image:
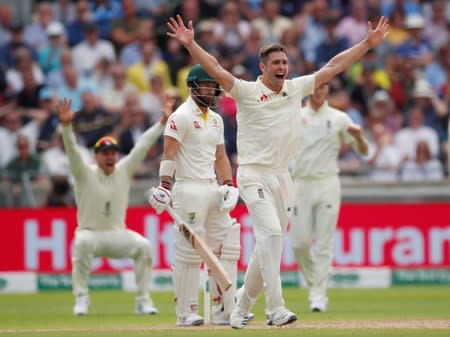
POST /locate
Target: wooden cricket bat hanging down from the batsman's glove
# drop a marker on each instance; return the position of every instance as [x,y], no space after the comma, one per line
[211,260]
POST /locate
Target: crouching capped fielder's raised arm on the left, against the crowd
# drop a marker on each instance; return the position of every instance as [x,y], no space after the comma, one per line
[66,116]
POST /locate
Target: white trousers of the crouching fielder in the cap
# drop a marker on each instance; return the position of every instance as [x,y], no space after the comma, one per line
[119,243]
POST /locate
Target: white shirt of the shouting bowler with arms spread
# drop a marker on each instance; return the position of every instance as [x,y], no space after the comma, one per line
[268,123]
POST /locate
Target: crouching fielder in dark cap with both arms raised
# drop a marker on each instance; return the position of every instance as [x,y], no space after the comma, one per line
[101,194]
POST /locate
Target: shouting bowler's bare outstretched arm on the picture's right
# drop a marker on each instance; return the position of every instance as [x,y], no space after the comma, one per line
[346,58]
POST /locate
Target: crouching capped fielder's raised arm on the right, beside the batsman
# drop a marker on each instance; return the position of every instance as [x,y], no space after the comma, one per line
[148,138]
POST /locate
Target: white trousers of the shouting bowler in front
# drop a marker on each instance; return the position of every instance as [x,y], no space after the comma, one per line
[268,196]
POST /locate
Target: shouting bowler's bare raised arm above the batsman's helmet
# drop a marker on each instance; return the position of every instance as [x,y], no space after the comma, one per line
[185,35]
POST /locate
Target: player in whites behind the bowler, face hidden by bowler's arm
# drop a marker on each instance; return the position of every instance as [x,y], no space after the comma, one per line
[318,190]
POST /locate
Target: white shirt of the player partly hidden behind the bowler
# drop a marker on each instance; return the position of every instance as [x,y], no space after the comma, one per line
[321,132]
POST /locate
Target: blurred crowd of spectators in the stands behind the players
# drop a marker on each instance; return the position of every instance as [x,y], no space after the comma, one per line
[112,58]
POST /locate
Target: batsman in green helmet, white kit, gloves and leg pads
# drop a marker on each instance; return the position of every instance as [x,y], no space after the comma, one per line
[194,152]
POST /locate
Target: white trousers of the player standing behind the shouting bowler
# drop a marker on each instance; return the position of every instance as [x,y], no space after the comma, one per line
[314,218]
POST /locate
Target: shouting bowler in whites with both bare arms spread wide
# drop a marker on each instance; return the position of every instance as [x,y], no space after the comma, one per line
[268,115]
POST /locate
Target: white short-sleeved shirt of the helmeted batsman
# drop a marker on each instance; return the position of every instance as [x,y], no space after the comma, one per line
[198,140]
